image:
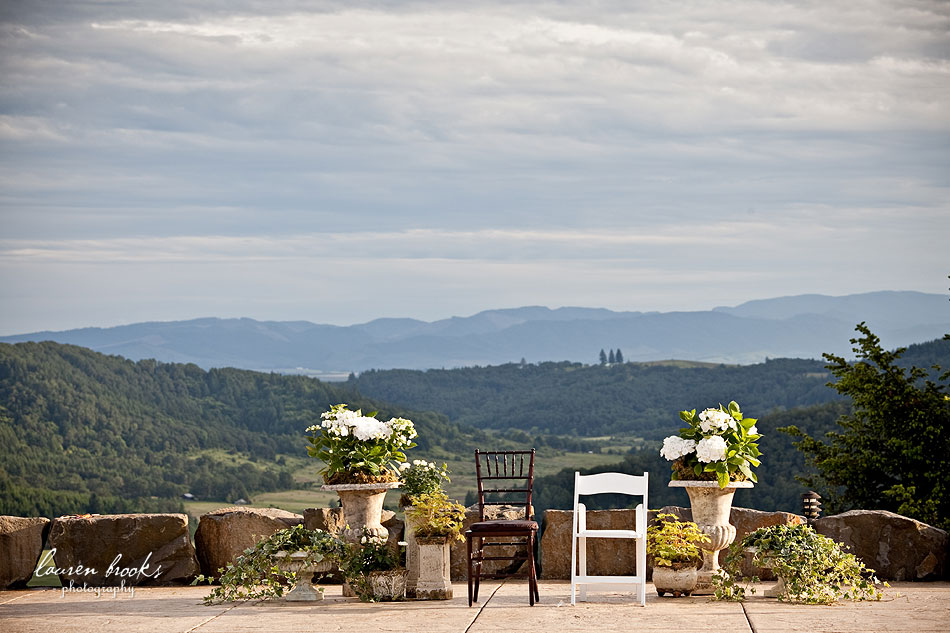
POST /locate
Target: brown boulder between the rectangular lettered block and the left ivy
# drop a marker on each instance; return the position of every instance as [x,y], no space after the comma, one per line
[224,534]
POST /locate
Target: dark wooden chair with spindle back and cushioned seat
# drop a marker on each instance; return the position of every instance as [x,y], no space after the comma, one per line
[505,478]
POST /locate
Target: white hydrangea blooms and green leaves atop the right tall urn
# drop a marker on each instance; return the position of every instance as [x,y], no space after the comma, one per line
[720,442]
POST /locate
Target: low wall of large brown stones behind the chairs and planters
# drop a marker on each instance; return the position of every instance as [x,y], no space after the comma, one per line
[897,547]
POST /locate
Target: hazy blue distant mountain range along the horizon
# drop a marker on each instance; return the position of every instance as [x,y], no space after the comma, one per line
[791,327]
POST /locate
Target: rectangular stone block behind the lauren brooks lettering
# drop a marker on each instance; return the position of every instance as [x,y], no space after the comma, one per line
[116,549]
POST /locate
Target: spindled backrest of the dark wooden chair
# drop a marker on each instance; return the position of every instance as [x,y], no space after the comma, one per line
[505,478]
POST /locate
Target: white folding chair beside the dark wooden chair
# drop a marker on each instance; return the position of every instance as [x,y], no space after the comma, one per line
[617,483]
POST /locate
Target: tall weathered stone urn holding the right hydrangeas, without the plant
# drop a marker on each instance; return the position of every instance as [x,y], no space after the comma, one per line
[711,506]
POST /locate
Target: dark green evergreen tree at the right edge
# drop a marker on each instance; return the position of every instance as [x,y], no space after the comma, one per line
[894,450]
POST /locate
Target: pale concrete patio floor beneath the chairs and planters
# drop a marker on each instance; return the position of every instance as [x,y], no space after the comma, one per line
[910,607]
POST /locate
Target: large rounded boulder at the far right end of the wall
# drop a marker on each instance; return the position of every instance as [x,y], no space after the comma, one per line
[895,546]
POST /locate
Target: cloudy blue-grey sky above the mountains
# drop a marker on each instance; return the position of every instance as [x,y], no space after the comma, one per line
[337,162]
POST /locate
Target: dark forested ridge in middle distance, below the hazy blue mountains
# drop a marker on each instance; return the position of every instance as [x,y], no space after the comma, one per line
[562,398]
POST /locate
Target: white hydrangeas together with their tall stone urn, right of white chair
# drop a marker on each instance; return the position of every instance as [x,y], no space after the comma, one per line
[713,456]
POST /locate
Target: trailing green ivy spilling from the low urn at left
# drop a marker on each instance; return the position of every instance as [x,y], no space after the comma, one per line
[256,573]
